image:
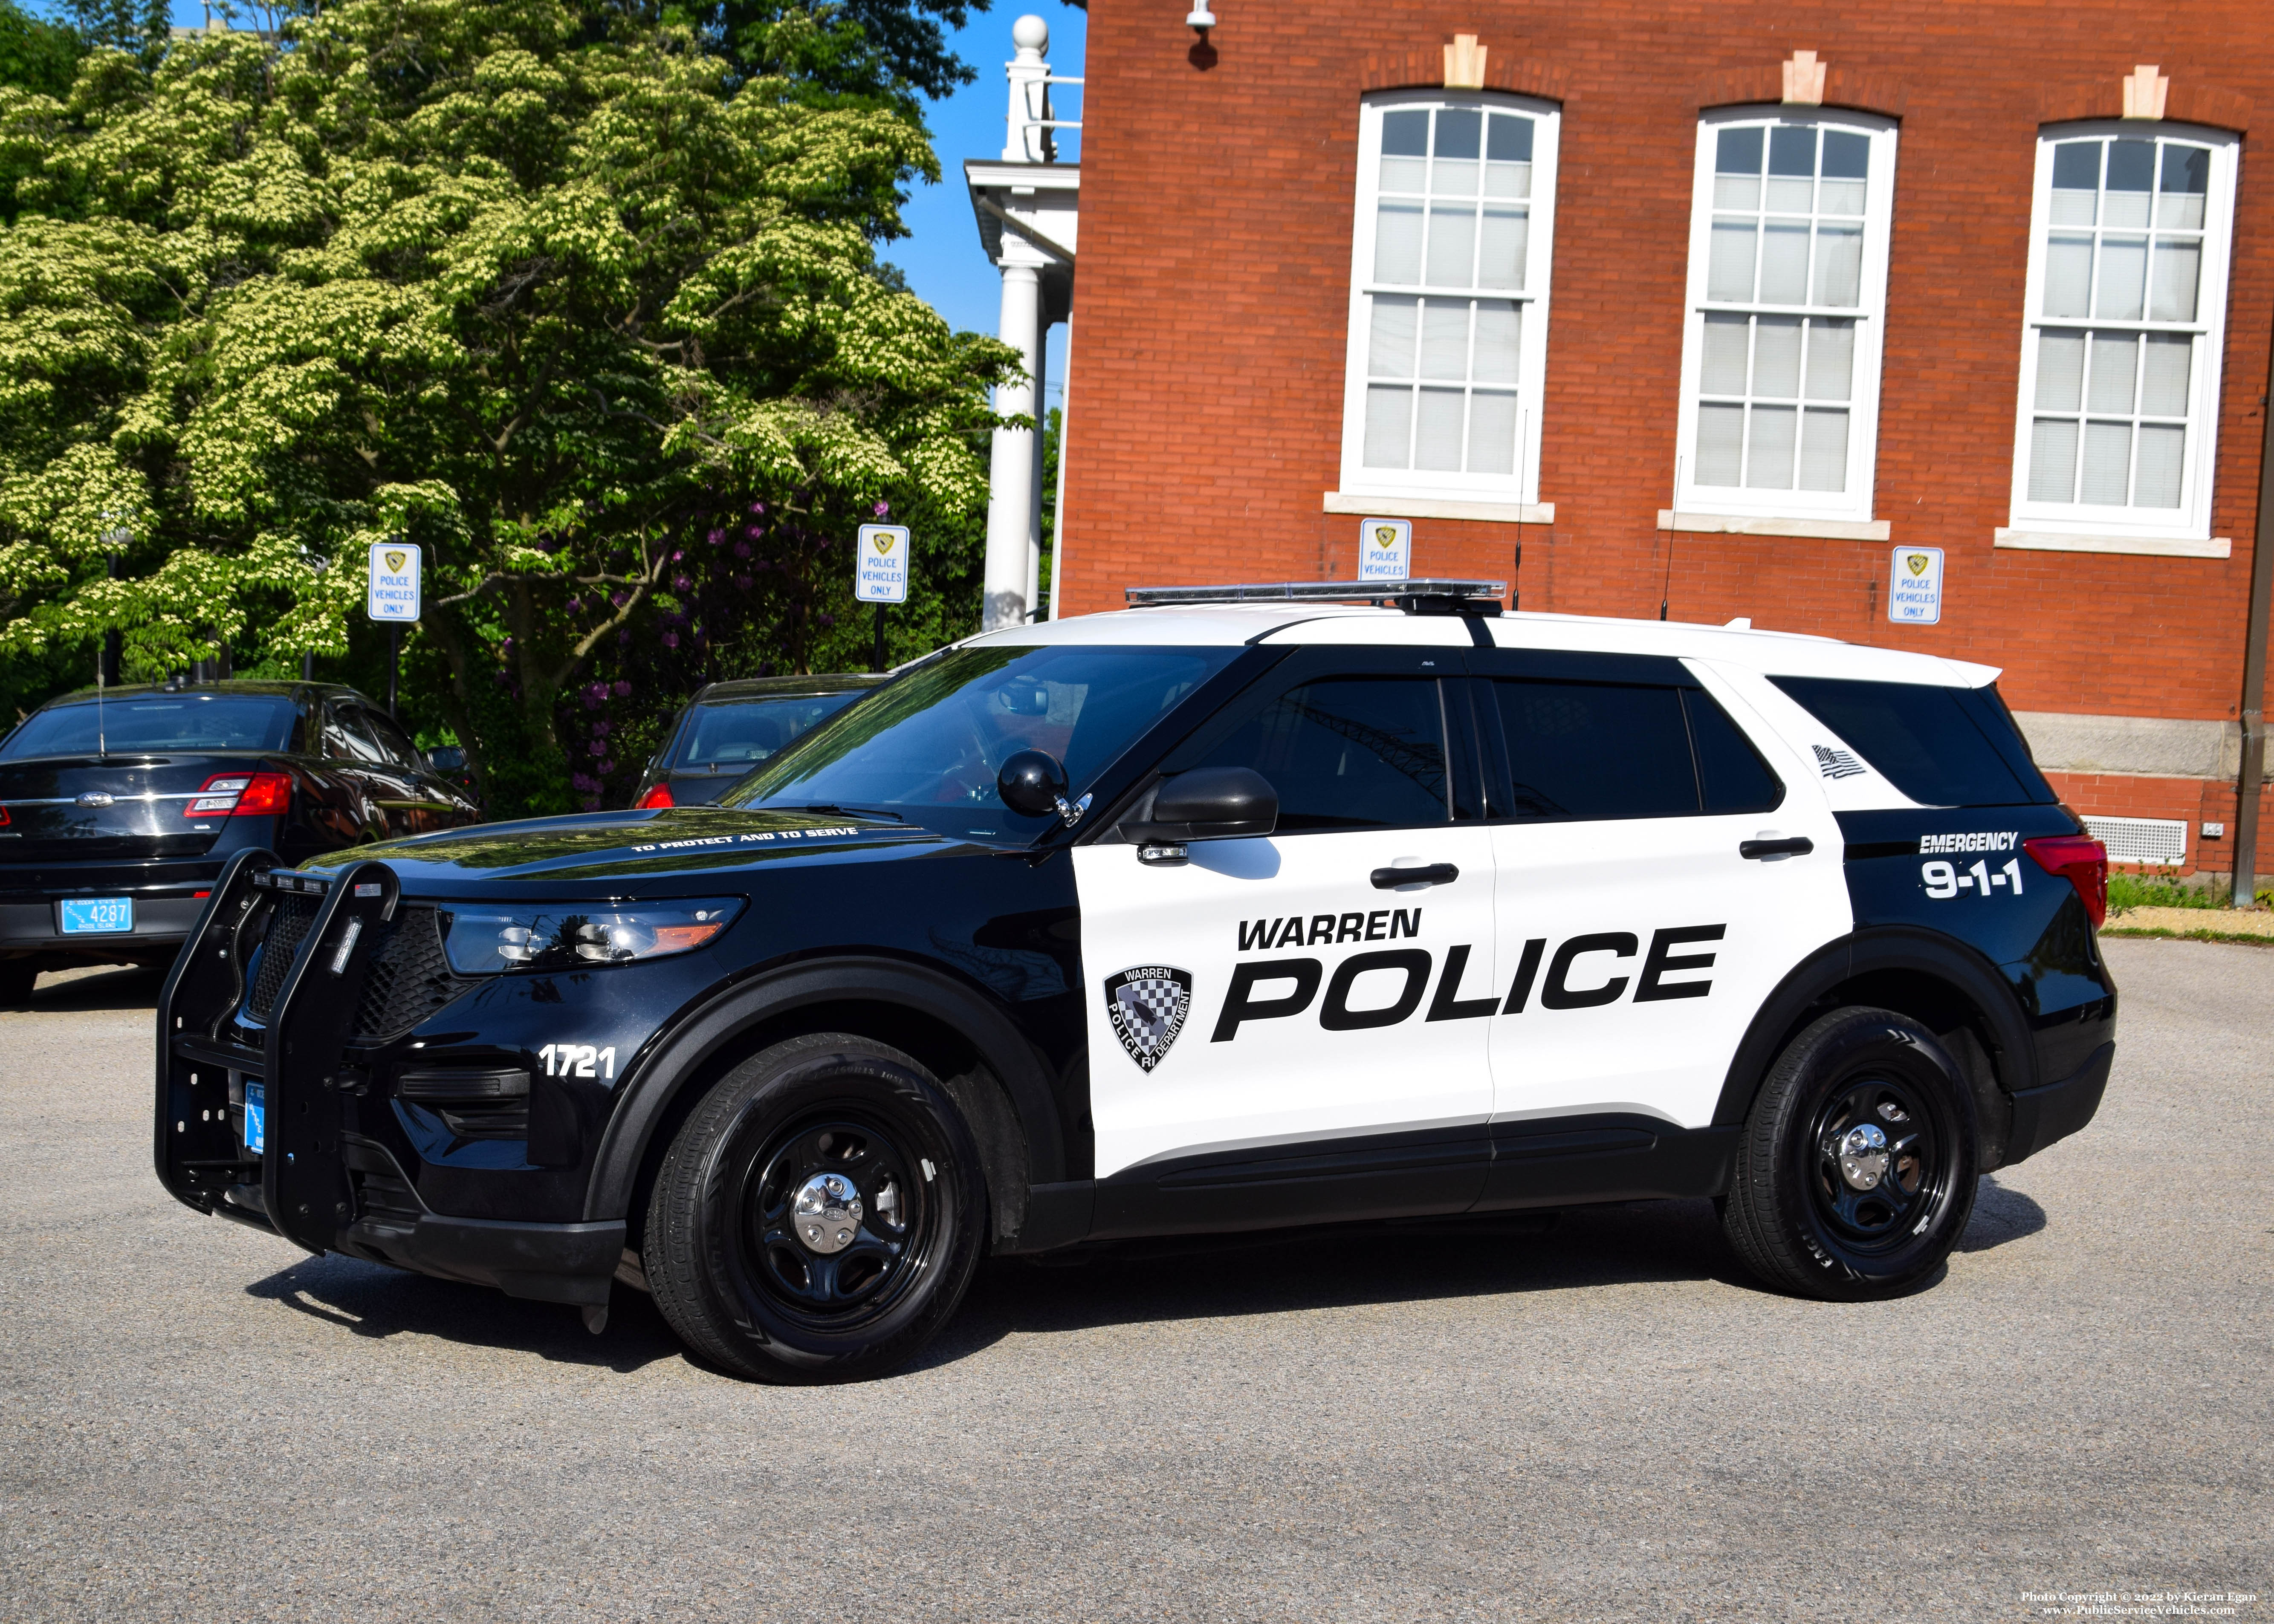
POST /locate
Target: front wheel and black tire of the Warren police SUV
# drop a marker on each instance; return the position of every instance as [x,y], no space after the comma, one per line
[829,1293]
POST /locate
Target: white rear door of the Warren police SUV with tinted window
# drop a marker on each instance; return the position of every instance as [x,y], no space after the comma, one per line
[1636,936]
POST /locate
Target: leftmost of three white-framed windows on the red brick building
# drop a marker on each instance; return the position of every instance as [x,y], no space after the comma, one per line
[1450,297]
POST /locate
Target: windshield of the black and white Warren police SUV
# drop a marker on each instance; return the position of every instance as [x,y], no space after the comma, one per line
[929,745]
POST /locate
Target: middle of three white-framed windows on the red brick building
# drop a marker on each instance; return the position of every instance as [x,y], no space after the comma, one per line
[1789,310]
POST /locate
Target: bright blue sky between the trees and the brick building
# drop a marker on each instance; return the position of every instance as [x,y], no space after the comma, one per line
[943,254]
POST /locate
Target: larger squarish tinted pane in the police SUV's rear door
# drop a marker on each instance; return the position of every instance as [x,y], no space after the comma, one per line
[1597,749]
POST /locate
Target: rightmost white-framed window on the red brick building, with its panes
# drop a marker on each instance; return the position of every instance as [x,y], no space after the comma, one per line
[2123,333]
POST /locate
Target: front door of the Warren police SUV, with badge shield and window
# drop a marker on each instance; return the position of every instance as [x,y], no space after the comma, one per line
[1288,1027]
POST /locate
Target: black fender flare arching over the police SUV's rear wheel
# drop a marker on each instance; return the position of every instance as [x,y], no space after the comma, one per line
[1859,954]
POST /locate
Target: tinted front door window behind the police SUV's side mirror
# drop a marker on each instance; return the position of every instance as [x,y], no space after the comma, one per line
[1347,754]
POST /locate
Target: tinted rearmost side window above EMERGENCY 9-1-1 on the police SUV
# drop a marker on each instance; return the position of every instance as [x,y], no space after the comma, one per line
[1945,747]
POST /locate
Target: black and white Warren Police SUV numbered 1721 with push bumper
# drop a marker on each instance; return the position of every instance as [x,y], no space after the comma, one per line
[1243,909]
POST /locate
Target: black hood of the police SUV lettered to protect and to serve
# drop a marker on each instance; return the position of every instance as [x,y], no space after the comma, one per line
[672,852]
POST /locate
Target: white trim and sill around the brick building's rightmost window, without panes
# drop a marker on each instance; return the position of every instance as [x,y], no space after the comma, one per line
[2057,524]
